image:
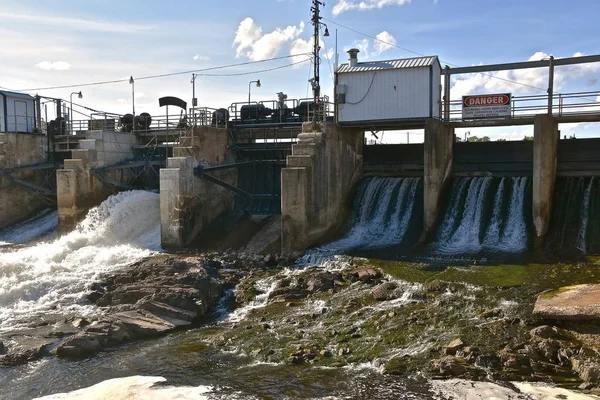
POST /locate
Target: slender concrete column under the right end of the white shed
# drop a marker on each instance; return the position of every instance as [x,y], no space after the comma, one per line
[438,149]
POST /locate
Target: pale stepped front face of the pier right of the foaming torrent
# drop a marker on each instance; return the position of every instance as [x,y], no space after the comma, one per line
[175,193]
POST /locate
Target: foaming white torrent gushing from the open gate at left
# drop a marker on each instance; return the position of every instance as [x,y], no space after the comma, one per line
[53,277]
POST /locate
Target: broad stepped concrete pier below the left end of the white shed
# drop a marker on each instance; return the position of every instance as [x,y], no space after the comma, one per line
[316,184]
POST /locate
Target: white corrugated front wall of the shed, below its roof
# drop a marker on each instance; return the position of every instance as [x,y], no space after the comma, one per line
[409,99]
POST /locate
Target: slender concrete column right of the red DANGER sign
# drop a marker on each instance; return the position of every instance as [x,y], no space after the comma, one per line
[545,141]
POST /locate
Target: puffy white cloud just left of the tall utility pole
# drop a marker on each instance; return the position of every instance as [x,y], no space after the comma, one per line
[252,43]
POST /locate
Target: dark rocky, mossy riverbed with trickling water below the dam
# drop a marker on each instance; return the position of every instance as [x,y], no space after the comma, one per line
[471,322]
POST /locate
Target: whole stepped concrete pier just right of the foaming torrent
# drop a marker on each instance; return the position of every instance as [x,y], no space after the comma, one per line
[187,202]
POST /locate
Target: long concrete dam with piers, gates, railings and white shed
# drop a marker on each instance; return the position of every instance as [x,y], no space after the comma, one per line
[307,160]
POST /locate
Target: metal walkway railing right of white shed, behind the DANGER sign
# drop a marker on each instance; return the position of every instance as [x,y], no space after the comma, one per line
[577,103]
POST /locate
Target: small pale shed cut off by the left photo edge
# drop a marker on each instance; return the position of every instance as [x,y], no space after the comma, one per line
[17,112]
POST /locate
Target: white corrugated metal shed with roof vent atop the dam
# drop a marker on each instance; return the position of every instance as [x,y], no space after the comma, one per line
[383,92]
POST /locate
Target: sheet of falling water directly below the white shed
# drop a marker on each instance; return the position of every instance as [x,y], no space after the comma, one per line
[383,209]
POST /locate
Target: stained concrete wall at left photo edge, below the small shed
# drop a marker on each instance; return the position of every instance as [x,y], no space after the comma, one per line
[16,202]
